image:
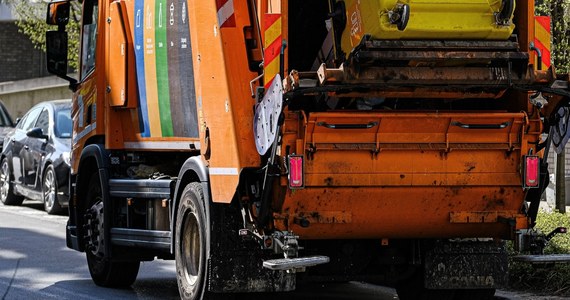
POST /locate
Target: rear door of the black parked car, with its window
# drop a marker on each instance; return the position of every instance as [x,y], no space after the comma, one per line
[18,141]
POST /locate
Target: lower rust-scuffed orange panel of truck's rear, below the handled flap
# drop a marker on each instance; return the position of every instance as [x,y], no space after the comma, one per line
[398,211]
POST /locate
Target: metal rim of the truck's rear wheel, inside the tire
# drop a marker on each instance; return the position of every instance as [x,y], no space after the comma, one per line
[191,248]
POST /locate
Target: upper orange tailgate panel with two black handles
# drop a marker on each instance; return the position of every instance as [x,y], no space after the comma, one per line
[454,130]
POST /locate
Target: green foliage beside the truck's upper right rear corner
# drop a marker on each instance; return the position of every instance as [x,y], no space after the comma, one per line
[559,11]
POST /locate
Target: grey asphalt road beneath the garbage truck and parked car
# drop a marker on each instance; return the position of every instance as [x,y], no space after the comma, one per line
[36,264]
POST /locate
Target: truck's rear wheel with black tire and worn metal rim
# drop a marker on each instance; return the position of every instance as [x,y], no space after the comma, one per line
[191,239]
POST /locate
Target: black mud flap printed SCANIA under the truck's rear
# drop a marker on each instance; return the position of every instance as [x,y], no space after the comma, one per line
[466,265]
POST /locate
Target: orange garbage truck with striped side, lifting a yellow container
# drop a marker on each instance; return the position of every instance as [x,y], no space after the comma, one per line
[262,142]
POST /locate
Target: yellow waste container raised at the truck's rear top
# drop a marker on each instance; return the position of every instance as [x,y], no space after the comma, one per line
[427,19]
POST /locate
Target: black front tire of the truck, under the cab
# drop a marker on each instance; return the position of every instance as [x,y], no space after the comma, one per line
[104,271]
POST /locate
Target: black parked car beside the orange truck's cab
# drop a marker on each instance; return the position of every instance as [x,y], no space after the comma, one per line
[35,157]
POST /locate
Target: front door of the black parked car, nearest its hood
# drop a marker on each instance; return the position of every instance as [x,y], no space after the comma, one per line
[37,149]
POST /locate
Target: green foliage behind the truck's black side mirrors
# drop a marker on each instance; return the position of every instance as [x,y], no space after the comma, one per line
[31,22]
